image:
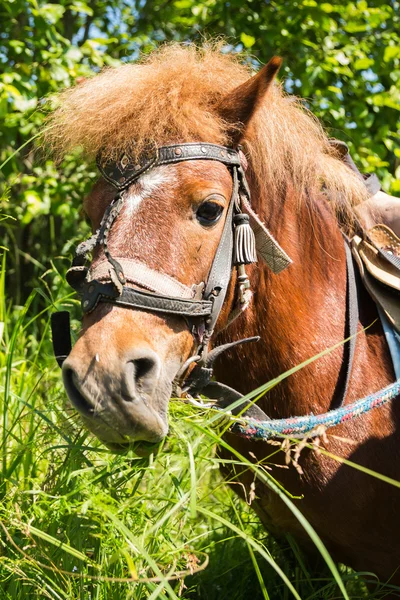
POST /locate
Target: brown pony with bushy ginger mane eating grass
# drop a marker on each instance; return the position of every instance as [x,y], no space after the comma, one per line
[120,372]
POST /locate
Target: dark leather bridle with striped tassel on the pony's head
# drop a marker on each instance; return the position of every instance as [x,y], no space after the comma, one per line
[202,311]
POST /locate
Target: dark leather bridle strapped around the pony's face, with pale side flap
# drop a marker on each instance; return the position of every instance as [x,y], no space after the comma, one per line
[201,304]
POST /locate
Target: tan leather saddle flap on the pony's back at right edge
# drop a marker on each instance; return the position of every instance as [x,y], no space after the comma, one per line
[377,255]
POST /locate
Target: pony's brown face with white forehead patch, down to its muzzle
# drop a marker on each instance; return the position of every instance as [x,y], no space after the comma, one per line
[119,374]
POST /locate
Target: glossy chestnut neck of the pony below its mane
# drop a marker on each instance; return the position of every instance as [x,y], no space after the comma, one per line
[300,313]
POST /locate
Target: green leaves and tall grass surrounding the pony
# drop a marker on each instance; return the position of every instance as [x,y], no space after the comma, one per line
[65,503]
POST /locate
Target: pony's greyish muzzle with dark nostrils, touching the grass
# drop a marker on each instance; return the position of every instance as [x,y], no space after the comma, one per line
[118,402]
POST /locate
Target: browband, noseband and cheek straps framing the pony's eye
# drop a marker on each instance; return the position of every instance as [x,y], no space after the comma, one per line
[122,175]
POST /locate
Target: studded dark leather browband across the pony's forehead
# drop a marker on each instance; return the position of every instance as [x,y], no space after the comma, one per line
[123,172]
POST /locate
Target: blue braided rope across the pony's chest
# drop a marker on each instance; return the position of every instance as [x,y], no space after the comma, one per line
[307,426]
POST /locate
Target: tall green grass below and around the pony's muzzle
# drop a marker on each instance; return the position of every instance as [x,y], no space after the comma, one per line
[77,522]
